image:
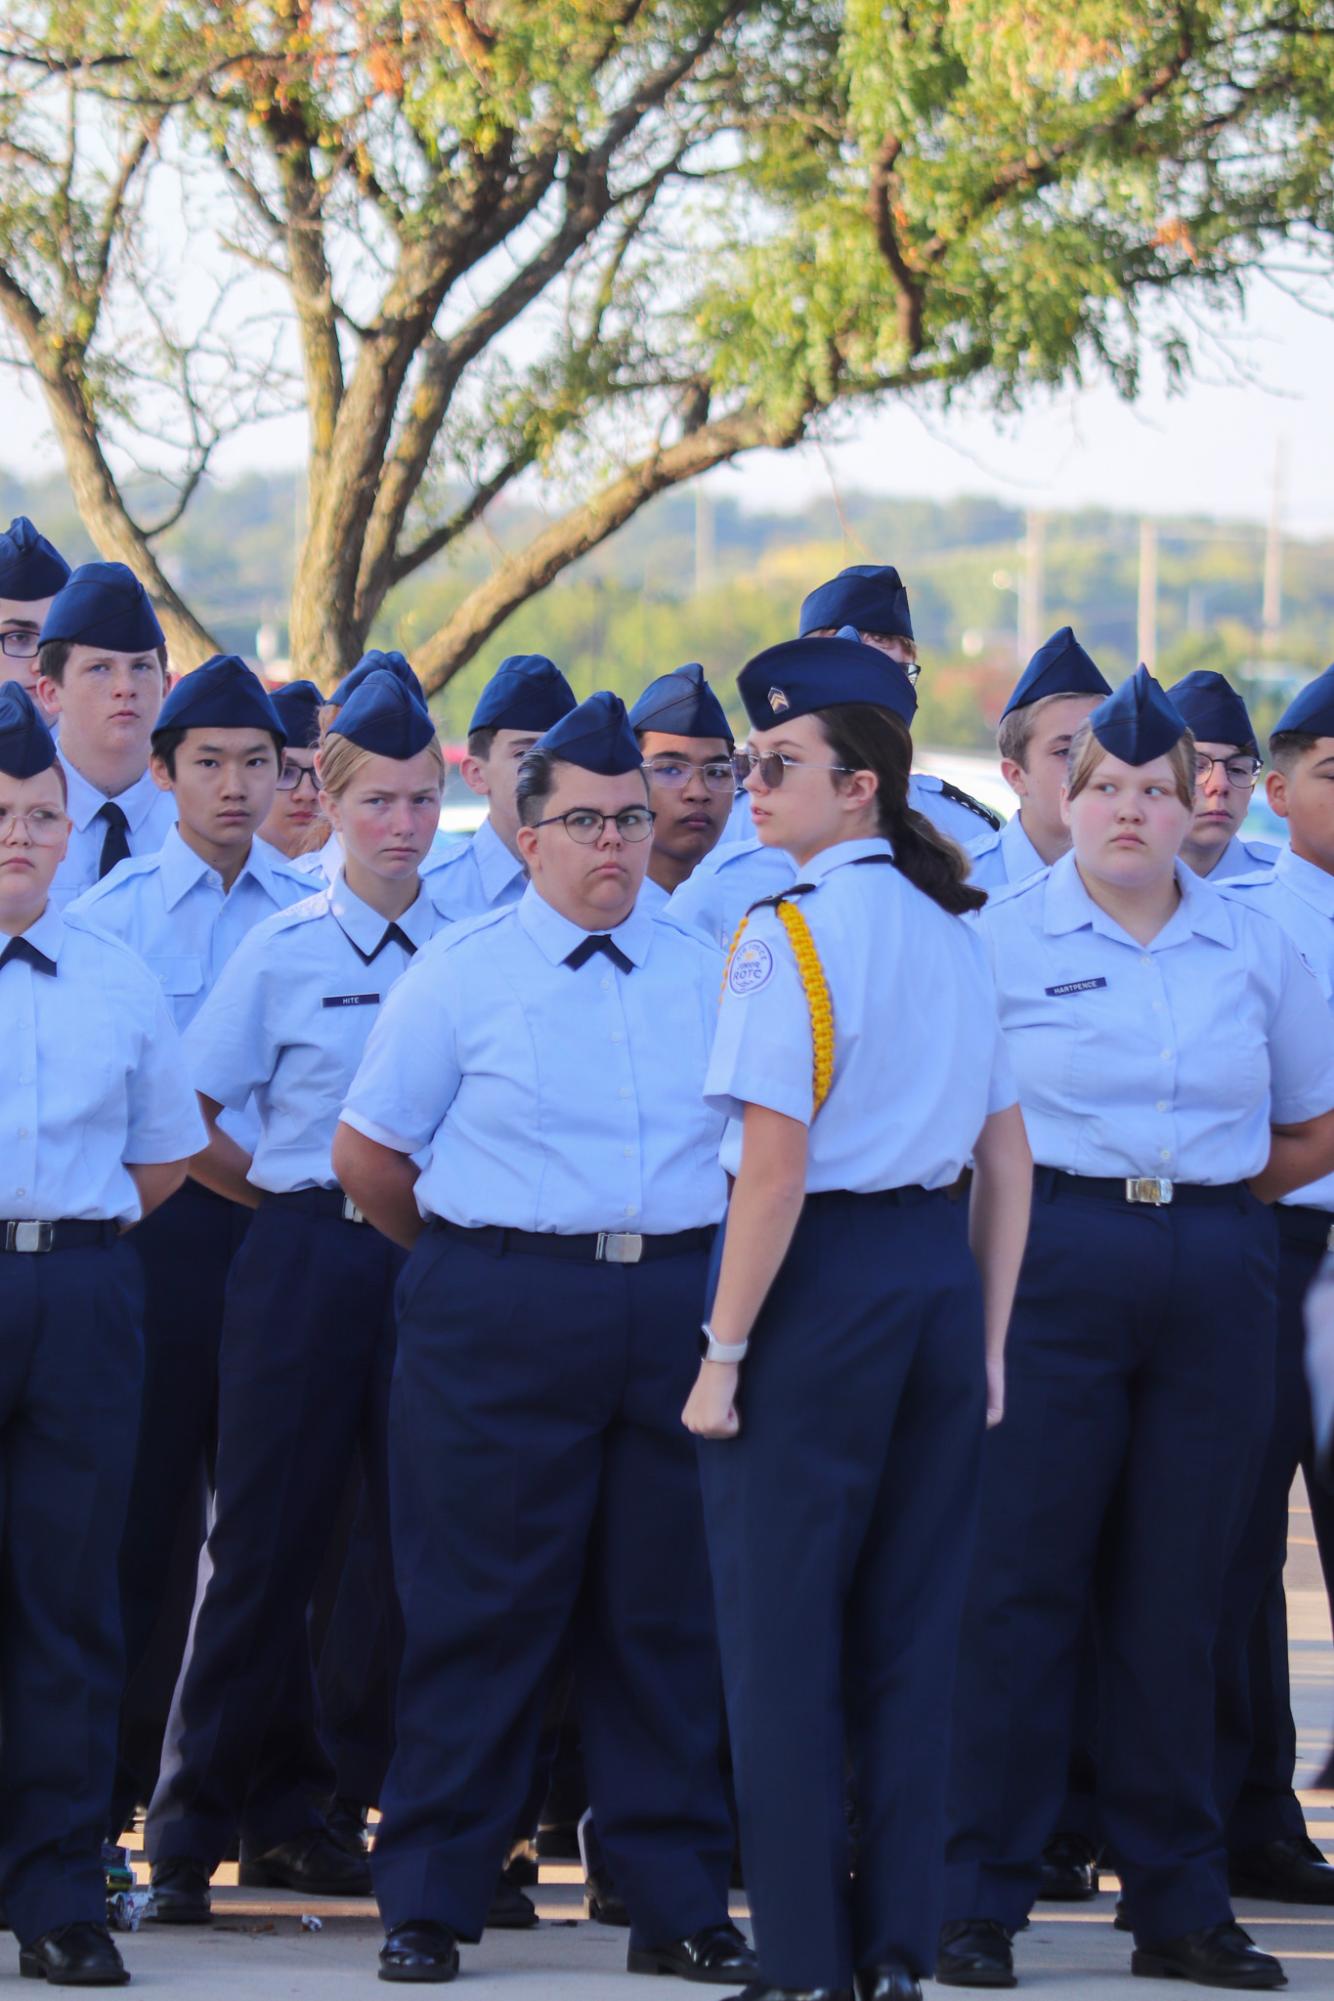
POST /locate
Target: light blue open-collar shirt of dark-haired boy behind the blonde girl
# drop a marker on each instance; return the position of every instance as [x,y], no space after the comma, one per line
[173,909]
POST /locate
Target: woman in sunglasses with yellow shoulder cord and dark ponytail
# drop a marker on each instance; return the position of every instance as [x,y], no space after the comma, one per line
[841,1474]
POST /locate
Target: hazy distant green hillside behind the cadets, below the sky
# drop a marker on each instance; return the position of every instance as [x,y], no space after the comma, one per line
[709,581]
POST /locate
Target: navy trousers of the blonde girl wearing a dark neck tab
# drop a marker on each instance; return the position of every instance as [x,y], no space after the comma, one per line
[305,1368]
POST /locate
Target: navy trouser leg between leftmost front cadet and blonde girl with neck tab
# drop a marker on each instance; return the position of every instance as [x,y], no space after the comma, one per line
[187,1250]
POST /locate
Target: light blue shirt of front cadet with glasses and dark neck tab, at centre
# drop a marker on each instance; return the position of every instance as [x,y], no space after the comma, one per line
[551,1098]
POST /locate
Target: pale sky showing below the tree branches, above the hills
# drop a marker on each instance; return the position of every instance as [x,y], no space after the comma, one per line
[1209,451]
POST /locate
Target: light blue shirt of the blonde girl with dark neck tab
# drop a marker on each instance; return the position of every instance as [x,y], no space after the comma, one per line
[289,1022]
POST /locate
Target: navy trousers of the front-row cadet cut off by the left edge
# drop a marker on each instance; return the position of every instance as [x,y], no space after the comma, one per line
[71,1378]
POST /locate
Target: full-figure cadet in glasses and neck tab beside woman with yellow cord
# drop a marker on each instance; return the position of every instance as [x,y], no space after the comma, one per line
[545,1068]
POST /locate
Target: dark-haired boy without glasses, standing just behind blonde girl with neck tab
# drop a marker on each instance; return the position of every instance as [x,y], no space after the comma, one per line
[185,909]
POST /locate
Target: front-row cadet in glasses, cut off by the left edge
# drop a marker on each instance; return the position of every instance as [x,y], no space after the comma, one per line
[99,1124]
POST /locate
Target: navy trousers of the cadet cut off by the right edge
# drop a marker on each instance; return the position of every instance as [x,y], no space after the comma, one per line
[1257,1738]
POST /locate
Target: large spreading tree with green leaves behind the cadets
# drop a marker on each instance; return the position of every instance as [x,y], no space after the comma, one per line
[607,245]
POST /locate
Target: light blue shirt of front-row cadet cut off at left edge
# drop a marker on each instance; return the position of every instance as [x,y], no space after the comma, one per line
[93,1078]
